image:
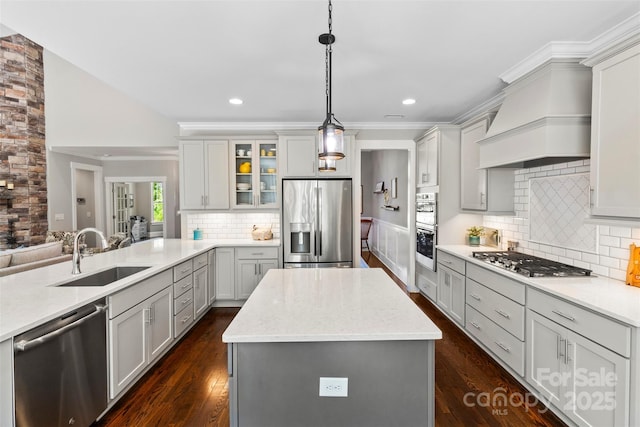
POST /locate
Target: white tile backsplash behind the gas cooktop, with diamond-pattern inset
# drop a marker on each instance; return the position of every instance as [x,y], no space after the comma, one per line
[537,228]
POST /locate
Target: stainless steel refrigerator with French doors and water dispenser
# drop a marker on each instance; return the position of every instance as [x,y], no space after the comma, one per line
[317,219]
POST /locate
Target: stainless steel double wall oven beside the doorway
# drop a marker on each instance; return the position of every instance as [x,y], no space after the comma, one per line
[426,229]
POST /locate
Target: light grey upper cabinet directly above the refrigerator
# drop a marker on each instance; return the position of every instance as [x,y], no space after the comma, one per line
[299,157]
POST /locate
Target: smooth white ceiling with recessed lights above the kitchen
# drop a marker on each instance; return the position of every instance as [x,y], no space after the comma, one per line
[185,59]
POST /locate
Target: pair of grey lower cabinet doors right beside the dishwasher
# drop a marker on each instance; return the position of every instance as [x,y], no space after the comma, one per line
[137,337]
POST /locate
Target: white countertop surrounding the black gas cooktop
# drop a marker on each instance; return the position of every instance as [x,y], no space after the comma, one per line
[606,296]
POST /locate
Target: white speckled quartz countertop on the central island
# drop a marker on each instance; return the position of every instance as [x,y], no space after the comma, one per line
[333,304]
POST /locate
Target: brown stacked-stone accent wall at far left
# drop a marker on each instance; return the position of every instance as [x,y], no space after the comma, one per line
[22,141]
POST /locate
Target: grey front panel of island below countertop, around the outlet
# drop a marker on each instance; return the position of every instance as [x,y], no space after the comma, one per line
[278,384]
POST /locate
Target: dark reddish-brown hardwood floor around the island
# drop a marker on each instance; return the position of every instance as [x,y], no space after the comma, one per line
[189,386]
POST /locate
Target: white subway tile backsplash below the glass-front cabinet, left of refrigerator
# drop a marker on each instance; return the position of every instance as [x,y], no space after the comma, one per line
[236,225]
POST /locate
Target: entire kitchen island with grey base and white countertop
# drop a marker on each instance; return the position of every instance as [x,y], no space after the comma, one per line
[355,327]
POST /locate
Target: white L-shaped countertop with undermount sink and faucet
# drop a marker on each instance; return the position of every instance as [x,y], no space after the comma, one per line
[30,298]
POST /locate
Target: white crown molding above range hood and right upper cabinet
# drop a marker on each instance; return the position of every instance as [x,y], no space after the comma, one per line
[624,32]
